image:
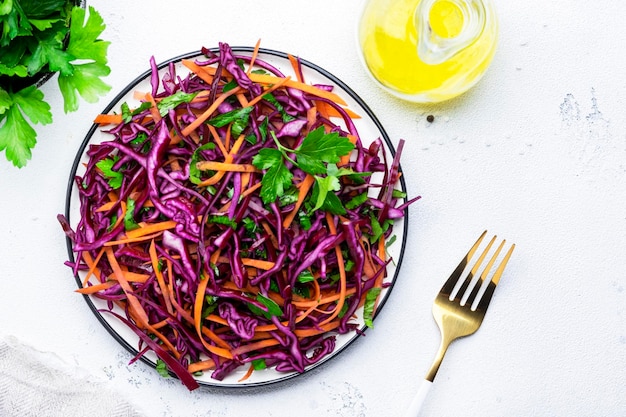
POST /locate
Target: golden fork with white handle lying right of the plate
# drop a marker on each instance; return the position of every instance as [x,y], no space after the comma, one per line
[460,313]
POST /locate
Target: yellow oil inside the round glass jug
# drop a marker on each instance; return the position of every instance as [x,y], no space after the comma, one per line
[388,40]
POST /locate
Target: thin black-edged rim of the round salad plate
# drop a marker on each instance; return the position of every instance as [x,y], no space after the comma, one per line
[236,49]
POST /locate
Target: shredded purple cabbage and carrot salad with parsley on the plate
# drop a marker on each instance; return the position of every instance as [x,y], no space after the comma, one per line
[234,218]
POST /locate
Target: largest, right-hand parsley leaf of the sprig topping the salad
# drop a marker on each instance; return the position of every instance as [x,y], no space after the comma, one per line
[319,147]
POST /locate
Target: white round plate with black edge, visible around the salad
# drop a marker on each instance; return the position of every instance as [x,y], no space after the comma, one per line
[369,129]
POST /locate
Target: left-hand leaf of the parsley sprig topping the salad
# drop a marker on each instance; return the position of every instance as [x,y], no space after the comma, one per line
[277,177]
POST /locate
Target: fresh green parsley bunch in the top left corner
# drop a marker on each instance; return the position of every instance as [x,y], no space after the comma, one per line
[39,38]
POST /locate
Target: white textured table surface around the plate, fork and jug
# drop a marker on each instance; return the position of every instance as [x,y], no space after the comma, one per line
[536,153]
